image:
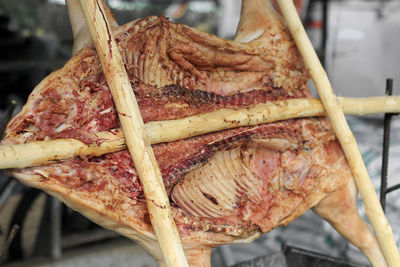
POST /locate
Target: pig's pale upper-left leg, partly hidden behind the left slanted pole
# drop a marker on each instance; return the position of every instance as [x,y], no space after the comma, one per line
[80,30]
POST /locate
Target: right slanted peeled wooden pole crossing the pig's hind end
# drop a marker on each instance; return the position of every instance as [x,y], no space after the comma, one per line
[346,138]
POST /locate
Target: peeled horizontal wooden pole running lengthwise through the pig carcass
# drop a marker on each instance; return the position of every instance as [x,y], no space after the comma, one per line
[45,152]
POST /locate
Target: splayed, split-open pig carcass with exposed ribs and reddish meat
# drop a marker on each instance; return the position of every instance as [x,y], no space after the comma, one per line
[224,187]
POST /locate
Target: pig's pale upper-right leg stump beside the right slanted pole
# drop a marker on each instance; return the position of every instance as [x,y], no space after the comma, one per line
[258,21]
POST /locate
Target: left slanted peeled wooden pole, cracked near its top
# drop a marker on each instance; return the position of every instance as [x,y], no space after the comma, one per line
[133,128]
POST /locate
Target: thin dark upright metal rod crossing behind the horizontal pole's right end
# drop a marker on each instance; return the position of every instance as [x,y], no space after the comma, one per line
[385,148]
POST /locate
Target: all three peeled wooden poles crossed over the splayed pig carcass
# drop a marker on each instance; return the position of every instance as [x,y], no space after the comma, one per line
[138,136]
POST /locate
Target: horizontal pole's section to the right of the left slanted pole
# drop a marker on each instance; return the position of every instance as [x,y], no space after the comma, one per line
[172,130]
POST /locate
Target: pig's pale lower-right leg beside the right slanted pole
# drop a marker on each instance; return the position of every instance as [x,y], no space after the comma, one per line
[340,210]
